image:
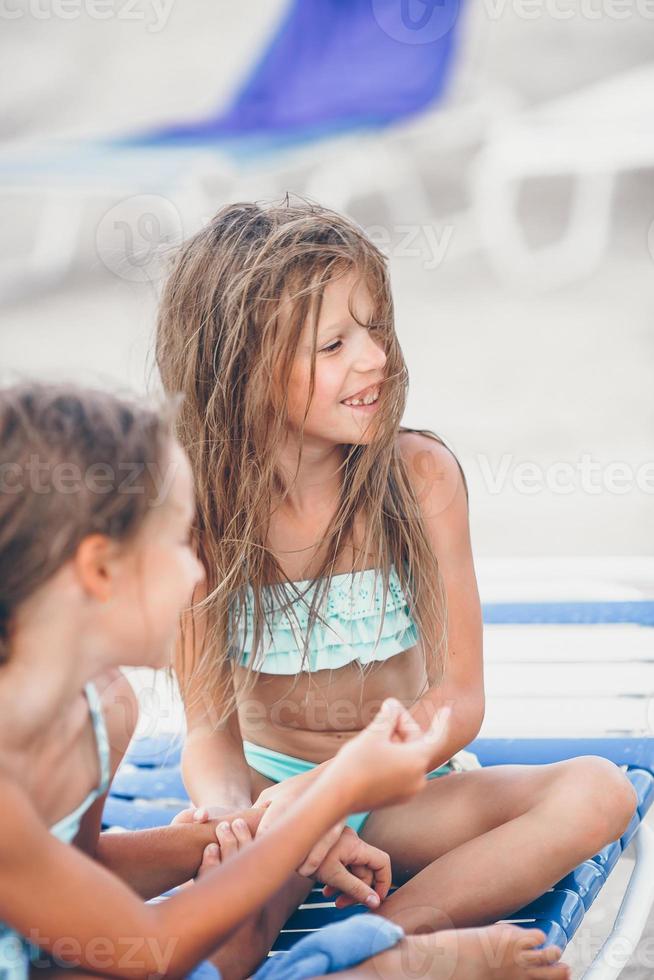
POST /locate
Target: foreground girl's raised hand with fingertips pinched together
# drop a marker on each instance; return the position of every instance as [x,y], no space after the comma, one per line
[388,761]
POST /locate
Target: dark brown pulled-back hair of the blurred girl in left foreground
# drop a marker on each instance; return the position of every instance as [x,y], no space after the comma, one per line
[73,462]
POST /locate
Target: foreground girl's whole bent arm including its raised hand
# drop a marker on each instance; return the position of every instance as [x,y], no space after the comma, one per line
[85,916]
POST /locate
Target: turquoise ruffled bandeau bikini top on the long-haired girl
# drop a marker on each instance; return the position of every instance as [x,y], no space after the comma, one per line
[352,626]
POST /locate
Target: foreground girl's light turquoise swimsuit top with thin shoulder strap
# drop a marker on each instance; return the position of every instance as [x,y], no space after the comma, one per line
[15,951]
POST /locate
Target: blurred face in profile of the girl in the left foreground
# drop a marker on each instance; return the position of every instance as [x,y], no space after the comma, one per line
[160,573]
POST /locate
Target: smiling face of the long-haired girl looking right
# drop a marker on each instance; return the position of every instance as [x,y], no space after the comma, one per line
[350,364]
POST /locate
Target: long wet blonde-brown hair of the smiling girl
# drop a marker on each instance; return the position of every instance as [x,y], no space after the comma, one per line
[223,342]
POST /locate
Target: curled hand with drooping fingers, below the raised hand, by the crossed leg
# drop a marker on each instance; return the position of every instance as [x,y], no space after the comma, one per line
[356,871]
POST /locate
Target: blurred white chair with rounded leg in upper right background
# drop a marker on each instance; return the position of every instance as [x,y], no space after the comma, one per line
[589,137]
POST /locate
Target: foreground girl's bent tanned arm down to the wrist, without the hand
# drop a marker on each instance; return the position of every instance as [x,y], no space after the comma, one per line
[89,918]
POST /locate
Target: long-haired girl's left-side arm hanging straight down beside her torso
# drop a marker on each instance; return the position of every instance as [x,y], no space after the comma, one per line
[213,762]
